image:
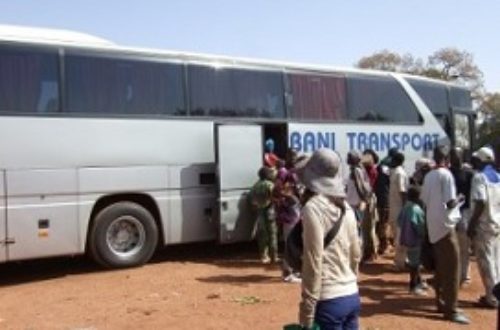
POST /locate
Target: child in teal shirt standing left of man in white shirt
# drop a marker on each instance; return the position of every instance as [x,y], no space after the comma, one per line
[411,221]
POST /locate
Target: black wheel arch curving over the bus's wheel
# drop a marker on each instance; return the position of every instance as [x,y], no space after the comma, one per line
[142,199]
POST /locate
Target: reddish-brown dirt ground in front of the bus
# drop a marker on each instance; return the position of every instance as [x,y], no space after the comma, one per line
[201,286]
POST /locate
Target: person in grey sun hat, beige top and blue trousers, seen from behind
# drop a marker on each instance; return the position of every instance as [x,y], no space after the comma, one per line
[330,295]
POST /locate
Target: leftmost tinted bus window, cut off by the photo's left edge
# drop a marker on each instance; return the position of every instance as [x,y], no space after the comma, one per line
[28,81]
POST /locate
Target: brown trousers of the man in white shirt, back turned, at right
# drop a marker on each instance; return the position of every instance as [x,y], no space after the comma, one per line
[447,274]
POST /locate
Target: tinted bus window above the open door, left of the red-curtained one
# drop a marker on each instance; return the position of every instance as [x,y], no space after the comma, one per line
[235,92]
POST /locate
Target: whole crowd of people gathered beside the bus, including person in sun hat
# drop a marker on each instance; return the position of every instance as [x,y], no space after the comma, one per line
[437,216]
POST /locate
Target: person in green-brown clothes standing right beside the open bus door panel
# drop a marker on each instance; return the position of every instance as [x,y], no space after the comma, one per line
[261,198]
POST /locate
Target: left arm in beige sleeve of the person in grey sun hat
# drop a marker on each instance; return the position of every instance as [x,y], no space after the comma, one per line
[312,262]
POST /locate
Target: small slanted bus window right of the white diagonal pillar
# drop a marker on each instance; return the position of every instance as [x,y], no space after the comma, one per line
[435,96]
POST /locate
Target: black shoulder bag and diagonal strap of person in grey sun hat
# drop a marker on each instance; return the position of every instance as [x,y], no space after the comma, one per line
[294,245]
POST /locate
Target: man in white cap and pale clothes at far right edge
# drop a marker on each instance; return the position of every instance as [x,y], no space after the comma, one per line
[484,227]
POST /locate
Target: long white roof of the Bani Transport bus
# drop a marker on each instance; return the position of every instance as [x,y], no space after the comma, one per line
[67,38]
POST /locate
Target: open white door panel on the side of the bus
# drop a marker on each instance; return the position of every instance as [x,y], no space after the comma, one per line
[239,157]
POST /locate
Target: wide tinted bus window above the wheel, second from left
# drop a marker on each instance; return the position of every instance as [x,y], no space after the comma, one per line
[118,86]
